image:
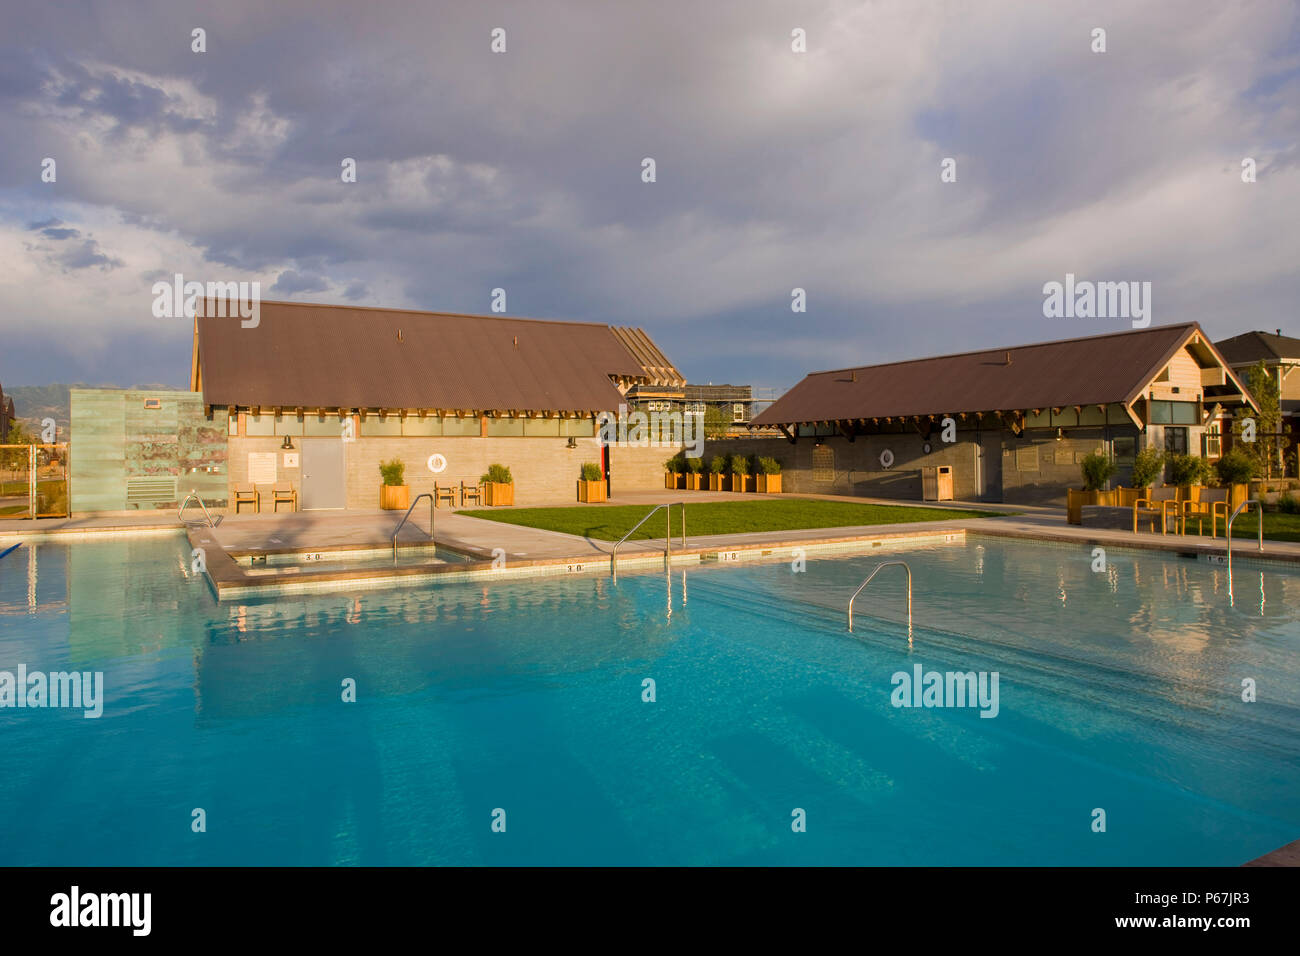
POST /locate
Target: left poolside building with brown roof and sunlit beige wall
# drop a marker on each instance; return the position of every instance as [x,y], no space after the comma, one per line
[319,396]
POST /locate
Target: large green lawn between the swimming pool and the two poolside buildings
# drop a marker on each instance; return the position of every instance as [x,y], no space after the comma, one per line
[612,522]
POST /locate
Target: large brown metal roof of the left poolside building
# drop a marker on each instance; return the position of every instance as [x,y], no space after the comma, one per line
[339,357]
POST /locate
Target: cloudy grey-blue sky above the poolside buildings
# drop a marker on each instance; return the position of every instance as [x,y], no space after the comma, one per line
[522,171]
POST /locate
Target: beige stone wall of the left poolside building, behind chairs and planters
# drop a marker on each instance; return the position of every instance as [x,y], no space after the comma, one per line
[545,470]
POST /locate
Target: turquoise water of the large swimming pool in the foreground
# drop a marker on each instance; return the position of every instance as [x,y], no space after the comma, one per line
[1119,690]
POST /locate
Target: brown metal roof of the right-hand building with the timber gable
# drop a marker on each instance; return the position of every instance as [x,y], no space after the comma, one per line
[1099,370]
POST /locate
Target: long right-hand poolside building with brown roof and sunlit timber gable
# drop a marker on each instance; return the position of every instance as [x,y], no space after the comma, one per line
[1022,418]
